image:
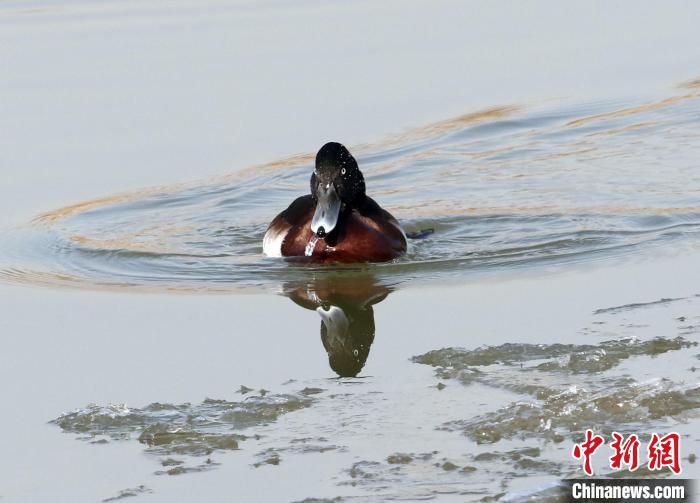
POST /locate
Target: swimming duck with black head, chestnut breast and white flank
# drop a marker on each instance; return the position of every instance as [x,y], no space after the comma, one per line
[337,221]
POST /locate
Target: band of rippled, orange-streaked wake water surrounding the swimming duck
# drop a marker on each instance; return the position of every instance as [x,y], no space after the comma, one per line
[511,186]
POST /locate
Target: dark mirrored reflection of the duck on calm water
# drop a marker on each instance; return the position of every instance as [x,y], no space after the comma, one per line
[347,317]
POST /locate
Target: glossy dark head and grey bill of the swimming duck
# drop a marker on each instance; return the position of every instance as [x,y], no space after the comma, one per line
[337,184]
